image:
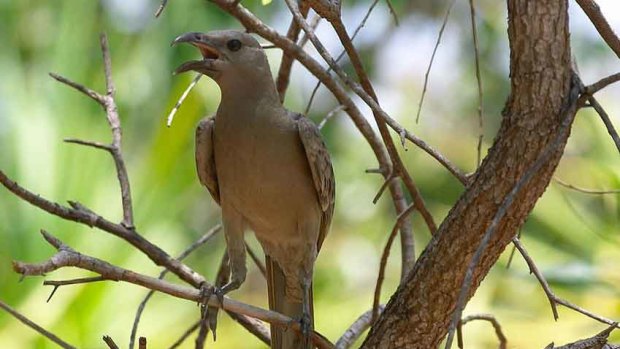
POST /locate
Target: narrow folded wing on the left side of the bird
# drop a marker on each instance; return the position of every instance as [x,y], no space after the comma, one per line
[205,159]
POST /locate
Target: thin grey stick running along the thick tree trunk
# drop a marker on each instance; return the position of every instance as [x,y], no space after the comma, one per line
[568,113]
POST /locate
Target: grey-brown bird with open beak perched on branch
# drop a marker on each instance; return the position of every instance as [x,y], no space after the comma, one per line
[269,170]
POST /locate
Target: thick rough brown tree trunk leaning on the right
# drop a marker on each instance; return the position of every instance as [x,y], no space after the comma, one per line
[419,313]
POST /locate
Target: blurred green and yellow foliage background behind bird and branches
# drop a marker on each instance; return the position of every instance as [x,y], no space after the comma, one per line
[572,236]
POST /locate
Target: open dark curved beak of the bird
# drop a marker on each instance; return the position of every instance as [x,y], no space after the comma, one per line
[207,48]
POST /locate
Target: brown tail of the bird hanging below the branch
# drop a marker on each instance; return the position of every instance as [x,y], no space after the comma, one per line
[282,338]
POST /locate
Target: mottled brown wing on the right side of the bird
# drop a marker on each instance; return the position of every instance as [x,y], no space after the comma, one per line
[321,168]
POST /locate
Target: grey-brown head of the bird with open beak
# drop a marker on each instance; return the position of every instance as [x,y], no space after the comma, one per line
[227,56]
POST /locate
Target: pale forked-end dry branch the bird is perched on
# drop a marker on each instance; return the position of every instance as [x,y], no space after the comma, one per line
[68,257]
